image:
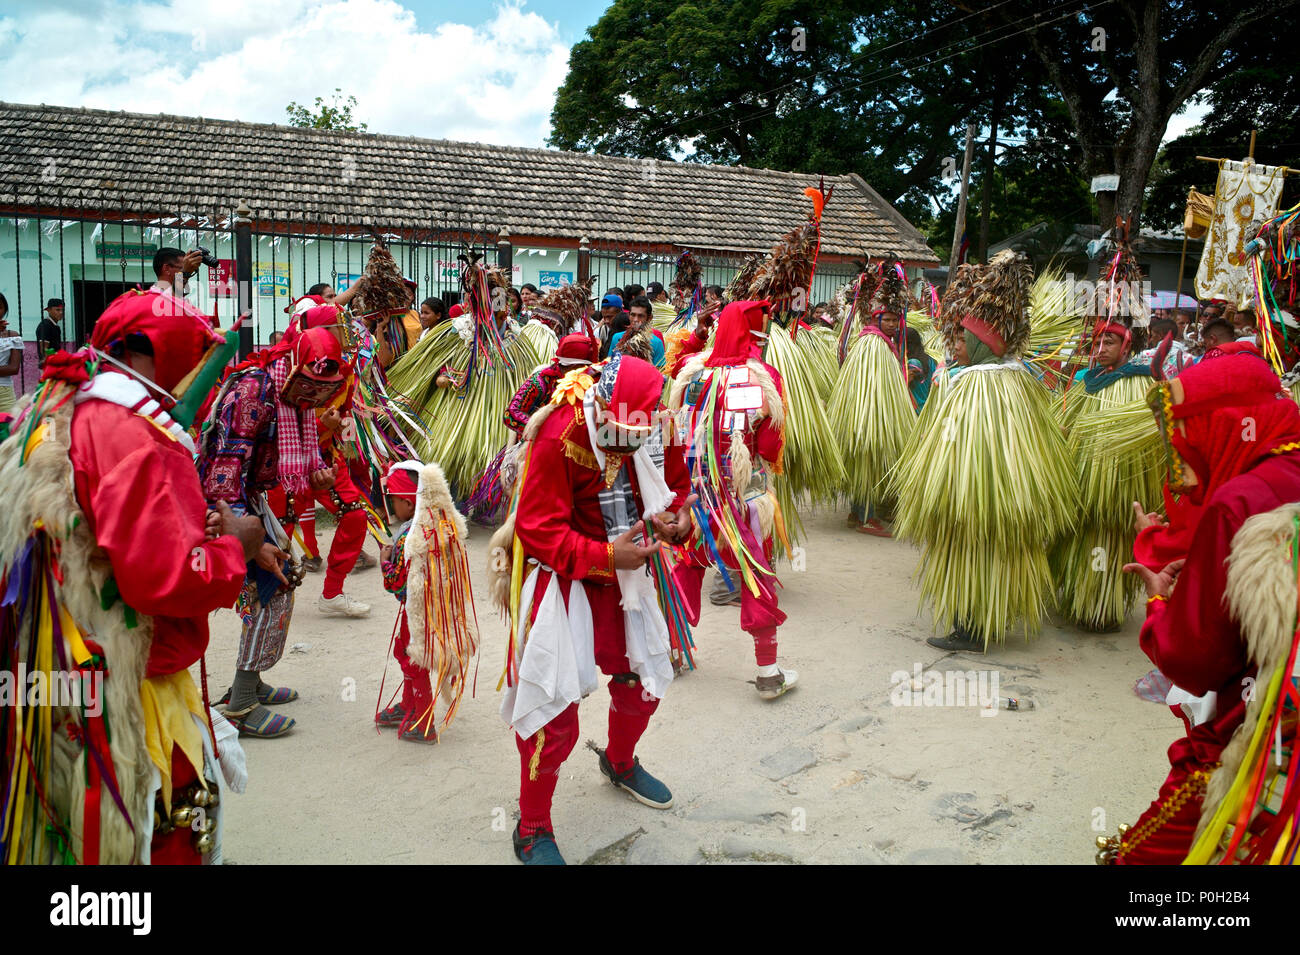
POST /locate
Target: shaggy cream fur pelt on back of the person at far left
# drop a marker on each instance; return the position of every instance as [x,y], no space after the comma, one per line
[42,490]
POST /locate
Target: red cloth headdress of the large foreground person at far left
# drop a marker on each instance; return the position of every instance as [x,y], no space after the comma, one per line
[179,333]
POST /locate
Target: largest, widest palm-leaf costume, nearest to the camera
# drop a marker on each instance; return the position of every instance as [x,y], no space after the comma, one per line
[985,487]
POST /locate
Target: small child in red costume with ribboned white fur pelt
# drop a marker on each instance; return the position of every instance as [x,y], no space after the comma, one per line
[426,570]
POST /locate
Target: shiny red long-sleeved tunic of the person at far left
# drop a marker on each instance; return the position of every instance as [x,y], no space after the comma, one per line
[142,500]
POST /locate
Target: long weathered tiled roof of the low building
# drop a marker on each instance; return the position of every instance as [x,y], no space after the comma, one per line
[98,159]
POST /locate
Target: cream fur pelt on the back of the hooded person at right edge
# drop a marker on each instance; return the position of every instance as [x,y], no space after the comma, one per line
[1262,598]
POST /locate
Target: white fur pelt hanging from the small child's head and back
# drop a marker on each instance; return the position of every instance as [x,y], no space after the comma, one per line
[434,509]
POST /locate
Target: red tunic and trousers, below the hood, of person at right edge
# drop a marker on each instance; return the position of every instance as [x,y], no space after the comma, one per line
[1194,643]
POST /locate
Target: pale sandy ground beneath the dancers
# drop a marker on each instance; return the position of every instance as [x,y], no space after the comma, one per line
[834,772]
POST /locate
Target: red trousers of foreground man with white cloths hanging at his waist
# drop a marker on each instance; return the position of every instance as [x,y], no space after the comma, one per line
[543,754]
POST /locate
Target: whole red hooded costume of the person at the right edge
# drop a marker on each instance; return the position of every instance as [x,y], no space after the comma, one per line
[1241,439]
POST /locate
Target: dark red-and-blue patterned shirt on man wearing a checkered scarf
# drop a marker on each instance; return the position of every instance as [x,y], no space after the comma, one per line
[240,458]
